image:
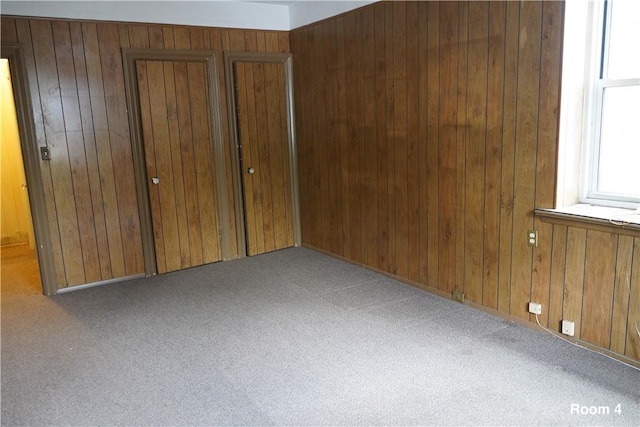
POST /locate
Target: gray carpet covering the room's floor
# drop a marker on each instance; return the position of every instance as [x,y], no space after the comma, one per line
[292,337]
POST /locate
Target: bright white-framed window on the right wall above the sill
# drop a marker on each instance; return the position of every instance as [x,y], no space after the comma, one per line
[611,170]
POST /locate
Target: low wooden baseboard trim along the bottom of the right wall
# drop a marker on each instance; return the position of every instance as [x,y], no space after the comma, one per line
[520,321]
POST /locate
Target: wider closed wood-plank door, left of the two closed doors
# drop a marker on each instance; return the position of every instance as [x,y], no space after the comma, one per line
[175,117]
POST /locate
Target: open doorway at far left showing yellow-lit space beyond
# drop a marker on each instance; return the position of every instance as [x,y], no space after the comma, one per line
[19,269]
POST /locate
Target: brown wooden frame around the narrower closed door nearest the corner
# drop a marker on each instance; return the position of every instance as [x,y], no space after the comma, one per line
[285,59]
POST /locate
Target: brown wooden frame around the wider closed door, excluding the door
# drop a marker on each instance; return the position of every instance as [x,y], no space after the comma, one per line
[129,58]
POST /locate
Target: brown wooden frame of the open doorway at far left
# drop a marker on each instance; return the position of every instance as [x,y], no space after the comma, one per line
[31,159]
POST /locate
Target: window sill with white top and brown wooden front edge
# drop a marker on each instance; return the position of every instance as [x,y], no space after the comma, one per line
[611,220]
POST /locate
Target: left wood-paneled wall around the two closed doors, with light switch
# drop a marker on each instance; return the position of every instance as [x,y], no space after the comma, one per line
[77,90]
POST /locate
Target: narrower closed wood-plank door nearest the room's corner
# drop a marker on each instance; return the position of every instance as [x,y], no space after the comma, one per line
[262,120]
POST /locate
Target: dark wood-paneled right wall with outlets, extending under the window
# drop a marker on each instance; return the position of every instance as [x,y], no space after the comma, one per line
[427,135]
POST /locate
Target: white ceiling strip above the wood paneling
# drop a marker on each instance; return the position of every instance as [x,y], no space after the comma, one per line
[252,14]
